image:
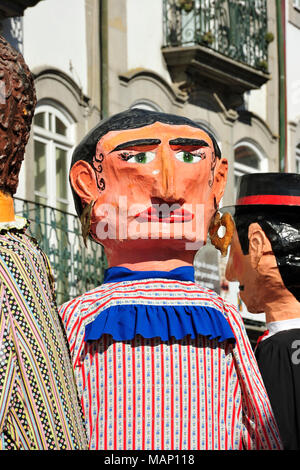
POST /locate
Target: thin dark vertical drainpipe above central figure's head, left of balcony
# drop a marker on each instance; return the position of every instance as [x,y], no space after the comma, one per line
[104,57]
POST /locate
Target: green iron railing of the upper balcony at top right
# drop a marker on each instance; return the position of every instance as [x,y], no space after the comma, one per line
[234,28]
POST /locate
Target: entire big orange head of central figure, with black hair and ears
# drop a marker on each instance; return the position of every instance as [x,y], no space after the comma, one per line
[148,180]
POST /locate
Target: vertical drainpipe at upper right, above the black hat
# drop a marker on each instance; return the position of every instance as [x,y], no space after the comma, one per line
[280,13]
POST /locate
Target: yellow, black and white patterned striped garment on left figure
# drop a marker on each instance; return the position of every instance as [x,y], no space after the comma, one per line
[39,407]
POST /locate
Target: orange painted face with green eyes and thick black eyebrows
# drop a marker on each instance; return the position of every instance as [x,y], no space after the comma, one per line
[154,182]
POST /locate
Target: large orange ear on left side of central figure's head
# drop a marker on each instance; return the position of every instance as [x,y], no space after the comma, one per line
[83,181]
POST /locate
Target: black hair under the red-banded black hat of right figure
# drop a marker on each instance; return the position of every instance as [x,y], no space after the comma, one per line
[281,225]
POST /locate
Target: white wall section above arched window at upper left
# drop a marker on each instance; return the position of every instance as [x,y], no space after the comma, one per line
[55,36]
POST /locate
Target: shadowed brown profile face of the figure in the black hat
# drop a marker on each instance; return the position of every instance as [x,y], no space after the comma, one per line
[239,268]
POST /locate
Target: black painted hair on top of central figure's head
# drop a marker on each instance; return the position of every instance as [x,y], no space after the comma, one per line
[129,119]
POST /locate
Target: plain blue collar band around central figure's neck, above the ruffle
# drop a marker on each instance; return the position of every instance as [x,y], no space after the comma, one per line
[118,274]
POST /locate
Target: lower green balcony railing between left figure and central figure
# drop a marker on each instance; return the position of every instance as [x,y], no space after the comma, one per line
[76,269]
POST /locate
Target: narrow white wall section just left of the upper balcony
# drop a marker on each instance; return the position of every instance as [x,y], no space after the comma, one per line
[145,36]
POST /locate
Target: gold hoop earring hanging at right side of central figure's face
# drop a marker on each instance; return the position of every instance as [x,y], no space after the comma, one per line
[221,243]
